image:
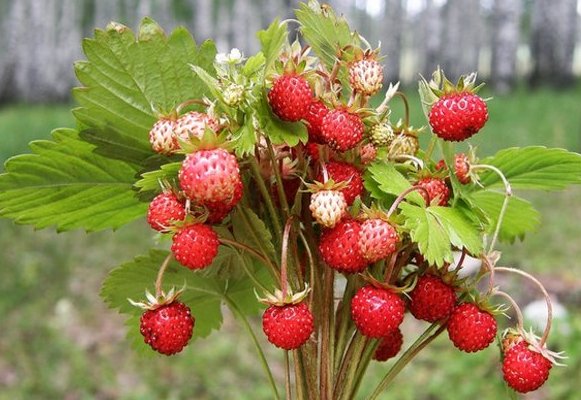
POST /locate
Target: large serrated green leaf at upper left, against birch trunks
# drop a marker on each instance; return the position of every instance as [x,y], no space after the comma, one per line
[126,79]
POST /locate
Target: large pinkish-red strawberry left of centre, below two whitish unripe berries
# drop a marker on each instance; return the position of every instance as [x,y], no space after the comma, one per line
[209,176]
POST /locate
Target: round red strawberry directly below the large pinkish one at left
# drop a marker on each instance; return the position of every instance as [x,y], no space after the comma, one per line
[195,246]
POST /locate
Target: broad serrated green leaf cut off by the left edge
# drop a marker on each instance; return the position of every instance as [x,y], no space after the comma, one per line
[66,184]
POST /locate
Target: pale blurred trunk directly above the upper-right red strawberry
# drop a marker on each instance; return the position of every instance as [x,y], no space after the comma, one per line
[461,37]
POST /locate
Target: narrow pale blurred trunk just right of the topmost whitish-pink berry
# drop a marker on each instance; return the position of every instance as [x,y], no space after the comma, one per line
[391,37]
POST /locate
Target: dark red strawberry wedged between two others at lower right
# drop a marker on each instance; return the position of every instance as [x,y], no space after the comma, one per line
[432,299]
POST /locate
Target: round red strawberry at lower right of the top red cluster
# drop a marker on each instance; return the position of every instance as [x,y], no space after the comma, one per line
[341,129]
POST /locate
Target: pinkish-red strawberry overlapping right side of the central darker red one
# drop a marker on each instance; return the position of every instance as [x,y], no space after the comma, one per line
[377,239]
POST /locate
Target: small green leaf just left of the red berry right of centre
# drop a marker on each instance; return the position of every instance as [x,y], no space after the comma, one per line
[382,178]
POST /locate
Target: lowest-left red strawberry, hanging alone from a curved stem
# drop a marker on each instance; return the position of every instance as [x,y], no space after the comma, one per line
[167,328]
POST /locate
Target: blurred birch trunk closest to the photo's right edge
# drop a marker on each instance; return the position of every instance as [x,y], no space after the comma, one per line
[554,27]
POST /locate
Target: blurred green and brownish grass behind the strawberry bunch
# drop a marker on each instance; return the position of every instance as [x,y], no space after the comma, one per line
[59,341]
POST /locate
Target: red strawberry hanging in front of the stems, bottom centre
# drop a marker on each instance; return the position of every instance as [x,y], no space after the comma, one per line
[289,326]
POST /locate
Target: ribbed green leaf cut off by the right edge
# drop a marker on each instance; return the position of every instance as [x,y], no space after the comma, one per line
[534,167]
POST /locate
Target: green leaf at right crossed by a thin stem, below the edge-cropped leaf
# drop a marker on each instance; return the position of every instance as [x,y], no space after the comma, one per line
[520,217]
